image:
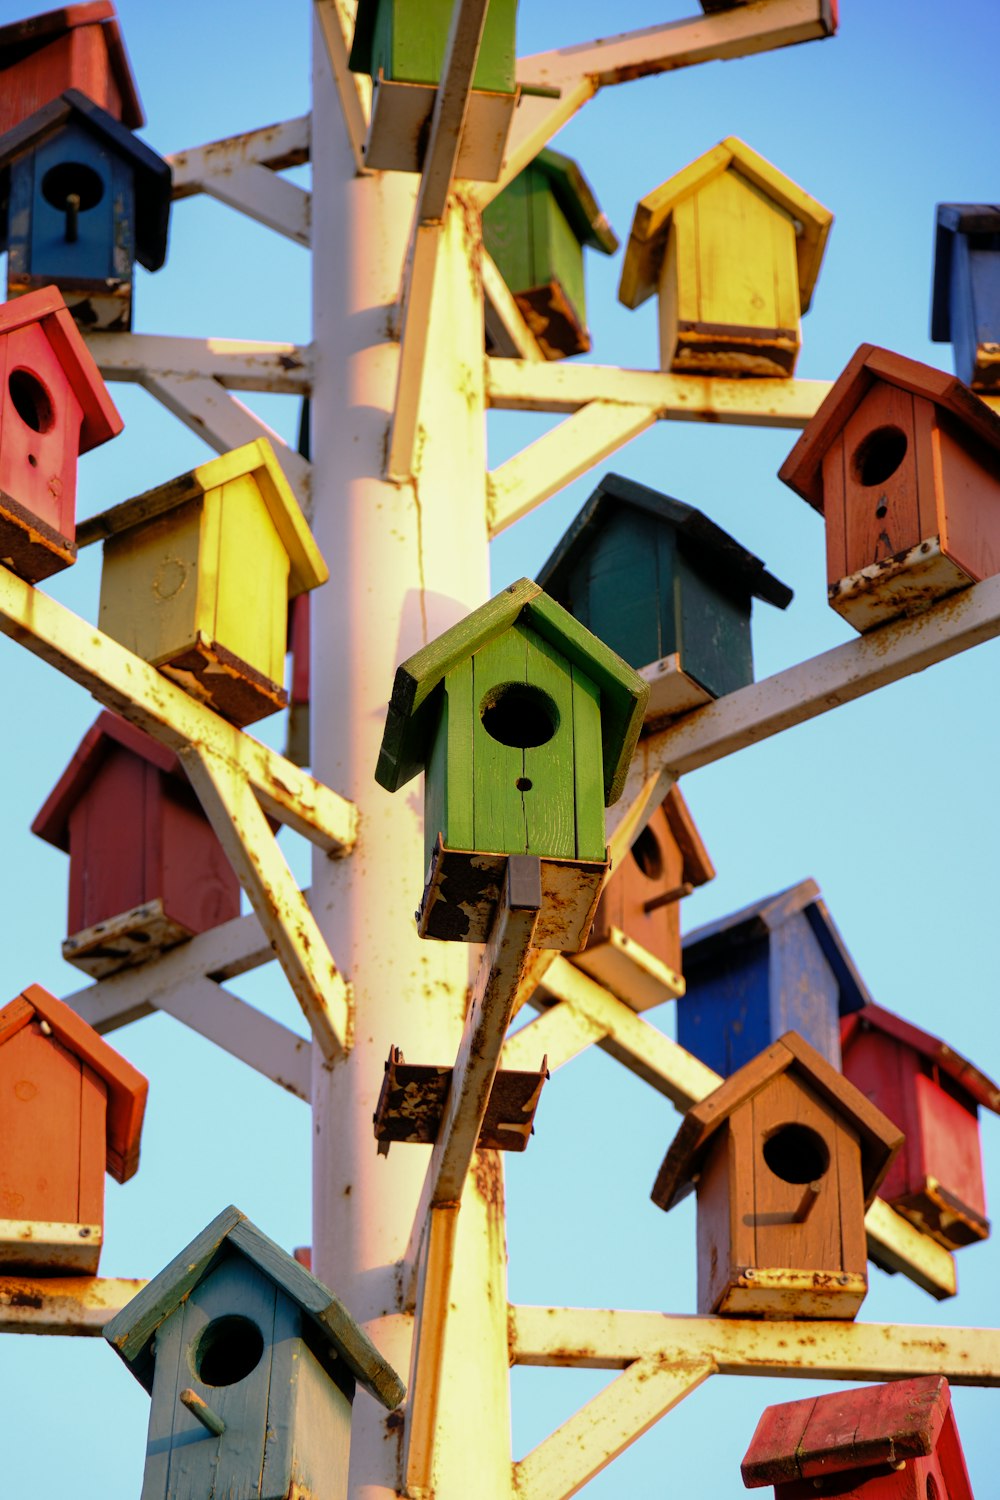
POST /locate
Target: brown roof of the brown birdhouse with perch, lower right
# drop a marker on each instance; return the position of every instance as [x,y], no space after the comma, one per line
[878,1138]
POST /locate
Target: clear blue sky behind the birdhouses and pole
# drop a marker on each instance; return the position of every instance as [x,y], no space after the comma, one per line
[890,803]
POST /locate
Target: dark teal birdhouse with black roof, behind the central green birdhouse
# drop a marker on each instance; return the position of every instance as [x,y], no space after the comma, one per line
[666,589]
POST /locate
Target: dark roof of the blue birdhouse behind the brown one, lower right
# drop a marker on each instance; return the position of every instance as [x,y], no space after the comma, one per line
[734,932]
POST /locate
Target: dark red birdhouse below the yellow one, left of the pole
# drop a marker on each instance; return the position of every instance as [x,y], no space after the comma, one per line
[146,869]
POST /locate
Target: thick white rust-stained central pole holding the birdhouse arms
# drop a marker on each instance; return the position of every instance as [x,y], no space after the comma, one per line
[407,562]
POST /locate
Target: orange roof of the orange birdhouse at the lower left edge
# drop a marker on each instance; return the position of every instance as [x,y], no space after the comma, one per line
[127,1087]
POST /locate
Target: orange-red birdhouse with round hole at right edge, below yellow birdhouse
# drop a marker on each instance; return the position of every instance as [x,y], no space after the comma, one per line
[905,466]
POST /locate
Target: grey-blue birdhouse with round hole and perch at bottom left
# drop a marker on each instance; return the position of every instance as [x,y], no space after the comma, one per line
[251,1366]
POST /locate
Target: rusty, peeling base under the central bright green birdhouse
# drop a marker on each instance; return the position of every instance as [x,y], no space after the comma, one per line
[464,890]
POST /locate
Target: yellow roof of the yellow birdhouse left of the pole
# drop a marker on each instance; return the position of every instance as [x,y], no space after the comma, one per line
[308,568]
